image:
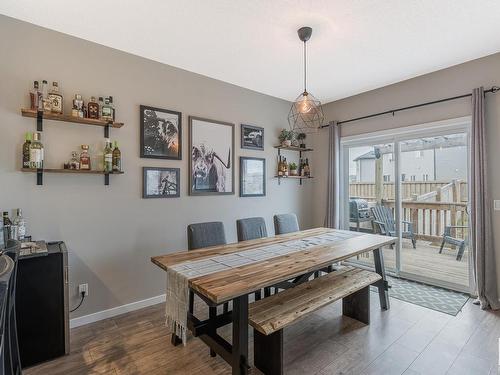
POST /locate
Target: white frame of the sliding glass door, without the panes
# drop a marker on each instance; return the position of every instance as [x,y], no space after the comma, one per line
[395,136]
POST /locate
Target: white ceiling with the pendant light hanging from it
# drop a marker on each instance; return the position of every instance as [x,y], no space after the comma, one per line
[356,46]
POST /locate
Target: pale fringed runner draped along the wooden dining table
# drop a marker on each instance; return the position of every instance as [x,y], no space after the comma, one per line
[177,295]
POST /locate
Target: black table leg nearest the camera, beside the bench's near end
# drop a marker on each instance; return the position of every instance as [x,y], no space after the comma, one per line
[240,336]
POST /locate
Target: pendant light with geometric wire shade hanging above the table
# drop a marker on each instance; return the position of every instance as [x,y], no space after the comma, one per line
[306,114]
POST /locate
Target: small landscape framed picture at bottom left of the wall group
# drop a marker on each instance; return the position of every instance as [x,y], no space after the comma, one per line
[161,182]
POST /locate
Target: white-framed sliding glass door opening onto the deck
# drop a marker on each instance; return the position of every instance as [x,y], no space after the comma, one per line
[412,184]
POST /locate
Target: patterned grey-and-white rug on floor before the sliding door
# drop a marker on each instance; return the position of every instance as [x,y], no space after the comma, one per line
[432,297]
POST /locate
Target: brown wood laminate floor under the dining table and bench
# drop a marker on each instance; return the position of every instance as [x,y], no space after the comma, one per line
[407,339]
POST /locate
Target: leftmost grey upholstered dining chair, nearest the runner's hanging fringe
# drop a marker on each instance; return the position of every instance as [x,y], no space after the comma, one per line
[202,235]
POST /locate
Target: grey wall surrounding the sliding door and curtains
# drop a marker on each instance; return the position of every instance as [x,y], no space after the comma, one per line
[449,82]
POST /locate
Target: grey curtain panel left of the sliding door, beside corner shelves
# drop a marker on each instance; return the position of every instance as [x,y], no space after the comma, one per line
[333,183]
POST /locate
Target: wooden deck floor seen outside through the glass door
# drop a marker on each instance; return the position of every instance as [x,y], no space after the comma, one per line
[425,261]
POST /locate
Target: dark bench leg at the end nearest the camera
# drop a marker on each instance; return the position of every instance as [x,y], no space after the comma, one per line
[268,352]
